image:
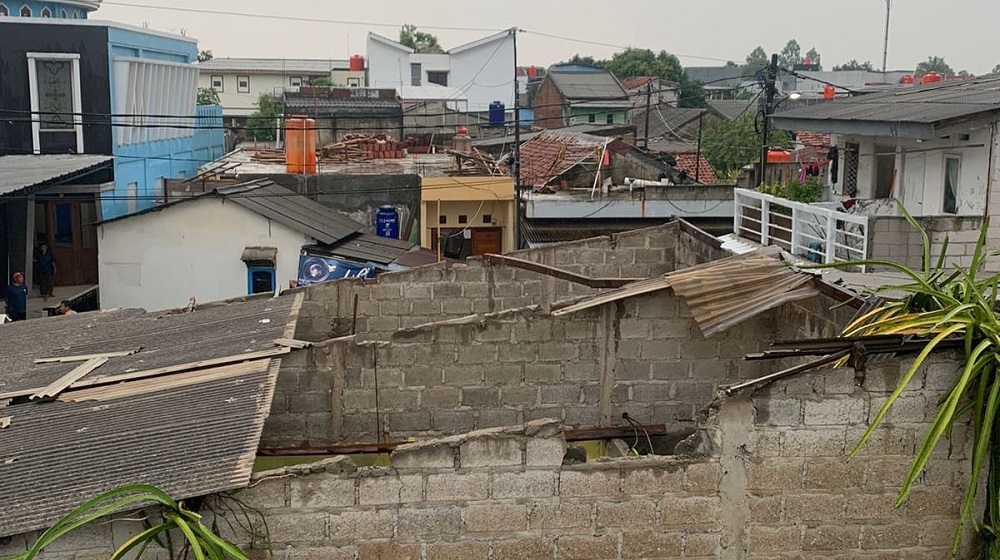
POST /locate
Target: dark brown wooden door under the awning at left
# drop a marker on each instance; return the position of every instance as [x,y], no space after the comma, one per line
[73,240]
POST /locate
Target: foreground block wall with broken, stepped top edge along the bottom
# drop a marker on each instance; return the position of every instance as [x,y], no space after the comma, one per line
[772,485]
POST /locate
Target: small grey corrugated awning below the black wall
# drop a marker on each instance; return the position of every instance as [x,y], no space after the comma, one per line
[21,172]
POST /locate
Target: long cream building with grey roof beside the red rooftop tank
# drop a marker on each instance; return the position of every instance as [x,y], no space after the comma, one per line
[241,81]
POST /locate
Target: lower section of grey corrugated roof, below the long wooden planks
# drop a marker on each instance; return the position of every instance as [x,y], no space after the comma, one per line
[190,440]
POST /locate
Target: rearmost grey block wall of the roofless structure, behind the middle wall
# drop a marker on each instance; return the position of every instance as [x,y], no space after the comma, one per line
[427,294]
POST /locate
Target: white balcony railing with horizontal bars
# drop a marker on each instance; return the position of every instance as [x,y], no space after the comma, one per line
[812,232]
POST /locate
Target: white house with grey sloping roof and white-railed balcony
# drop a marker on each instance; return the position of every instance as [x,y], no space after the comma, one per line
[933,149]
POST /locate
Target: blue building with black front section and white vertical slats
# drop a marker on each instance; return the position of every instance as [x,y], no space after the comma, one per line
[80,86]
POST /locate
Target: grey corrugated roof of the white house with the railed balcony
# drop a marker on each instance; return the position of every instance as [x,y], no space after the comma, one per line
[925,104]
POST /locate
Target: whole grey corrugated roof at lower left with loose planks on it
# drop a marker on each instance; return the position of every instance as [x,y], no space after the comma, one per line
[192,432]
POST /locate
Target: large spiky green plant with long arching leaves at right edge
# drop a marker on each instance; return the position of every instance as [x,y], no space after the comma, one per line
[943,304]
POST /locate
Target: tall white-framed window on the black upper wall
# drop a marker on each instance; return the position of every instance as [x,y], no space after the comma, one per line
[57,125]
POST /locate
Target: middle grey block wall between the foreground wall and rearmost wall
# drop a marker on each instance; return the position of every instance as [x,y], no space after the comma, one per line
[645,356]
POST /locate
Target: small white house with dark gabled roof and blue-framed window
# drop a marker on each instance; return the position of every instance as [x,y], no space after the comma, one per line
[226,243]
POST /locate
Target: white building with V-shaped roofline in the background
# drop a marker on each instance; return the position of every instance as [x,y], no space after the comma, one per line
[481,71]
